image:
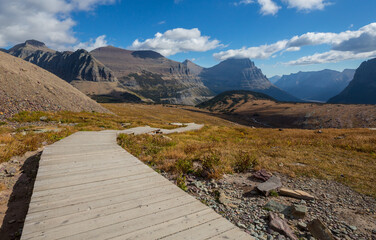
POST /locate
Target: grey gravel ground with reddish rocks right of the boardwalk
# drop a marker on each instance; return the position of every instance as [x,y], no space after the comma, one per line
[345,213]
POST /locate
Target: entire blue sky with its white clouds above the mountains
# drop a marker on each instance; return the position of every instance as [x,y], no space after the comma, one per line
[206,31]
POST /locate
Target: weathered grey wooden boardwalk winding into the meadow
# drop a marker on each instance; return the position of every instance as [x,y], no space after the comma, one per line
[88,187]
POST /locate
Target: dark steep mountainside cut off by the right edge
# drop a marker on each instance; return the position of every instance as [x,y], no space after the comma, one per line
[362,89]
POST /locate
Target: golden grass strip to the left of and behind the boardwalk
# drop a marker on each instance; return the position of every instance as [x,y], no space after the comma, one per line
[17,142]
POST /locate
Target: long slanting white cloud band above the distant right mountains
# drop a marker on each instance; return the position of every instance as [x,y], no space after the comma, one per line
[345,45]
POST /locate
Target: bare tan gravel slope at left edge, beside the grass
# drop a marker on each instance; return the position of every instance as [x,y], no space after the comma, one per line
[27,87]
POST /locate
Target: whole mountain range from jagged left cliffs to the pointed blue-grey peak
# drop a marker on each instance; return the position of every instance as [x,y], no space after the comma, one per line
[110,74]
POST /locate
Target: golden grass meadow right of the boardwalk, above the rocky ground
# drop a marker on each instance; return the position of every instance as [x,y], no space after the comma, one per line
[344,155]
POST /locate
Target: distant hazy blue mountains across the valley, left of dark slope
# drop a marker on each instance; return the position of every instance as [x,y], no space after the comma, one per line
[316,85]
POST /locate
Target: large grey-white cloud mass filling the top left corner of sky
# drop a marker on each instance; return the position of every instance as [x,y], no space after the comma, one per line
[45,20]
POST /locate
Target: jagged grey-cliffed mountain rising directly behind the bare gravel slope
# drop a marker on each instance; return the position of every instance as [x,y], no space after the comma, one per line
[79,68]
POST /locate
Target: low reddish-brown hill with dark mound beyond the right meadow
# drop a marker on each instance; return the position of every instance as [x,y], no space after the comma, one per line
[252,109]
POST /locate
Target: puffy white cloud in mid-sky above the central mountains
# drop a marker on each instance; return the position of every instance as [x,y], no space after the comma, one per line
[177,40]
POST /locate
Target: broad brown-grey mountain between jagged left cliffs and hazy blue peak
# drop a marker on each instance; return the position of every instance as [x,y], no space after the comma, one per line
[153,76]
